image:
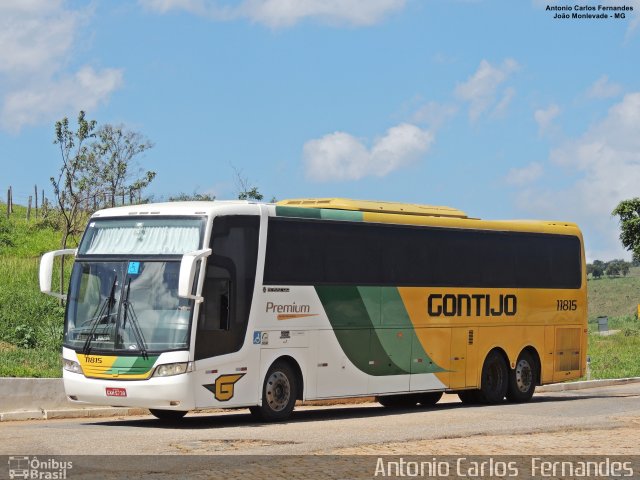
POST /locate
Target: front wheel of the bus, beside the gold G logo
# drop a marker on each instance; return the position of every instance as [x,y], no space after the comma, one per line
[278,393]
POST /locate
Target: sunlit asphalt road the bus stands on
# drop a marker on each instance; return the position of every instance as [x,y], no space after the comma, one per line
[339,429]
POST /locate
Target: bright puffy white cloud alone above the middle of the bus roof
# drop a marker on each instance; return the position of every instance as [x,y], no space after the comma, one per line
[341,156]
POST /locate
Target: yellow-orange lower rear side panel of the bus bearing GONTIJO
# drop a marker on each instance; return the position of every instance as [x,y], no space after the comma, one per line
[533,324]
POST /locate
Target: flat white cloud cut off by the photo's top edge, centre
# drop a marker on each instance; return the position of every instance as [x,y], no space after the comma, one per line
[285,13]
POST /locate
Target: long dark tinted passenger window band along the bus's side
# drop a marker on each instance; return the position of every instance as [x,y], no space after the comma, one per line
[317,252]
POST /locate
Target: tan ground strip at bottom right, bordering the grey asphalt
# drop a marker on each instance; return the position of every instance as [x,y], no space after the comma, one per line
[615,441]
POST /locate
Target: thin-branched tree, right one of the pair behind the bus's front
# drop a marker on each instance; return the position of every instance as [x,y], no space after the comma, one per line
[115,151]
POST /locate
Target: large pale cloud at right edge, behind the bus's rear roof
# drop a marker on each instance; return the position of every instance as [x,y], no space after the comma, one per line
[605,161]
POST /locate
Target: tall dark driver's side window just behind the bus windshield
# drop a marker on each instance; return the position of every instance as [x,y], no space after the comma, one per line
[229,284]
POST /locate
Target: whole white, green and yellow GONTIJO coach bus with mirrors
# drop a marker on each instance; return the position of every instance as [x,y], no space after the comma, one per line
[186,306]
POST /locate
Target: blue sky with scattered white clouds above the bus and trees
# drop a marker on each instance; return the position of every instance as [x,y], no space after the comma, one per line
[493,107]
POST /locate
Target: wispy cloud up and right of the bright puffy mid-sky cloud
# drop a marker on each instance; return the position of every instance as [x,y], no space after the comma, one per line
[481,89]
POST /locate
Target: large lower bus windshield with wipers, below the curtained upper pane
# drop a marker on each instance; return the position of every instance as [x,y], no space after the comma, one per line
[128,306]
